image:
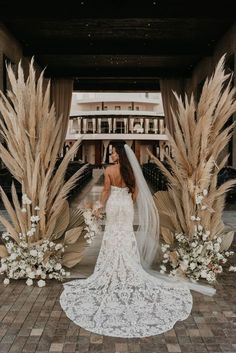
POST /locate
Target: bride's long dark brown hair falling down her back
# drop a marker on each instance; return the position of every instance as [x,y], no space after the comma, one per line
[126,170]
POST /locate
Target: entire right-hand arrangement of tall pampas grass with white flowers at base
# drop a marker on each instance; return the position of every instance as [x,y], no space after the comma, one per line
[195,238]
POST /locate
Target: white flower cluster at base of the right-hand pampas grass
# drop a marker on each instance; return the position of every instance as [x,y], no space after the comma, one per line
[198,257]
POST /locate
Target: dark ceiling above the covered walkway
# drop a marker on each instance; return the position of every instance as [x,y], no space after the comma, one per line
[114,45]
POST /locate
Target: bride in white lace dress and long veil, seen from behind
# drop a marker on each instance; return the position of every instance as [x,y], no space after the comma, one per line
[124,297]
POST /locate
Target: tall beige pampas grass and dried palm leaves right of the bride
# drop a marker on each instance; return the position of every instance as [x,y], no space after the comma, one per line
[198,140]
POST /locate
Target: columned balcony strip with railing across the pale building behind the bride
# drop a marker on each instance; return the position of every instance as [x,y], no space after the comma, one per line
[114,125]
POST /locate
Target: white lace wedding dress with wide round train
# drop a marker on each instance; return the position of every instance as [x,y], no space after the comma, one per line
[120,298]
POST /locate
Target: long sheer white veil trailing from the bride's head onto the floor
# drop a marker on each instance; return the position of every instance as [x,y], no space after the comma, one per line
[147,234]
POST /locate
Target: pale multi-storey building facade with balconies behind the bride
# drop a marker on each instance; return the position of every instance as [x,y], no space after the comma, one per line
[101,118]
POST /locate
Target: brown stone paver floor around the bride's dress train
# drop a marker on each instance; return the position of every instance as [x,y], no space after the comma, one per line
[32,321]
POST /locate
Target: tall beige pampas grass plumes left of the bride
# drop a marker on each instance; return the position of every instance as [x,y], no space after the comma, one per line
[32,134]
